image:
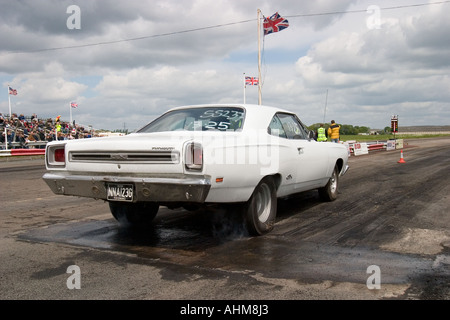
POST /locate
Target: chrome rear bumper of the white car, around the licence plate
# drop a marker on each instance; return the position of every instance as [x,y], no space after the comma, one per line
[189,189]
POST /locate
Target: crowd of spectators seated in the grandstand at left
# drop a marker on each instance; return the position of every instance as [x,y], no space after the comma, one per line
[31,132]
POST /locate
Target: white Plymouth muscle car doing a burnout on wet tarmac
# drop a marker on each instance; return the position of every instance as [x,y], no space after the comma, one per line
[192,156]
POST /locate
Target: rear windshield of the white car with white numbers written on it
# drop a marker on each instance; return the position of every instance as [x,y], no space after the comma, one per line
[198,119]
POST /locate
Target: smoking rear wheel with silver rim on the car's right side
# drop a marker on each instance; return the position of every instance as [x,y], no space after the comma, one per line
[260,210]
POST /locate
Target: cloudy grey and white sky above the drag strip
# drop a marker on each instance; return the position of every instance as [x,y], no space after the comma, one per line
[125,62]
